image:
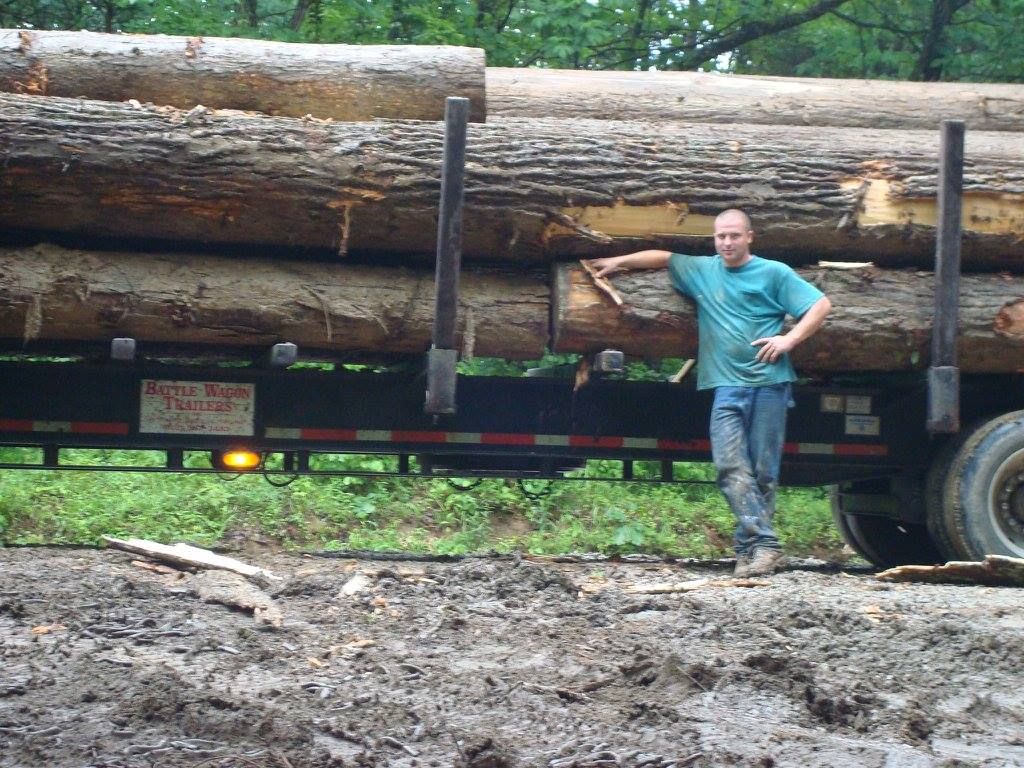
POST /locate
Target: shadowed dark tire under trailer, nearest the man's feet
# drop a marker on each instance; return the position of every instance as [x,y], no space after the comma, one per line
[882,541]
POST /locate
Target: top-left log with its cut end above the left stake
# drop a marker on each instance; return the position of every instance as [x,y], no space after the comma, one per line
[344,82]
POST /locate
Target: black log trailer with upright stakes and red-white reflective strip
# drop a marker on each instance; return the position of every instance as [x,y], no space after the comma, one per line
[911,485]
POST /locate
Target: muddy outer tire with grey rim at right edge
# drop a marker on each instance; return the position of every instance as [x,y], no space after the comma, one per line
[984,495]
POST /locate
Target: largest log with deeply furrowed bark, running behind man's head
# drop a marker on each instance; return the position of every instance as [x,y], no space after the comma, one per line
[536,190]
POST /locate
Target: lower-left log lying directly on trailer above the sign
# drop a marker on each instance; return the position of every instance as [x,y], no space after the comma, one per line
[50,295]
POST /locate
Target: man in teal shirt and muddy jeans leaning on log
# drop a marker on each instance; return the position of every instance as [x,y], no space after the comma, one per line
[743,302]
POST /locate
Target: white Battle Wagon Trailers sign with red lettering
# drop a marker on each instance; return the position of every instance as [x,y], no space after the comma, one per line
[214,408]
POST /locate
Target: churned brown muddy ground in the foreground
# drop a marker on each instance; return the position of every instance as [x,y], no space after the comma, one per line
[500,663]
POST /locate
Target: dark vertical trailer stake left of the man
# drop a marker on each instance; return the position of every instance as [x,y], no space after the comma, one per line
[443,356]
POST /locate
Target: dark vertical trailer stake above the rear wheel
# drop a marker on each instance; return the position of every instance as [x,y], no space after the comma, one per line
[944,376]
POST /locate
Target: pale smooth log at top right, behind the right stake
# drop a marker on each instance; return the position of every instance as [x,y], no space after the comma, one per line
[705,98]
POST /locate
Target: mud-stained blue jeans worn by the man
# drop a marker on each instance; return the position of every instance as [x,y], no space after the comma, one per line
[748,431]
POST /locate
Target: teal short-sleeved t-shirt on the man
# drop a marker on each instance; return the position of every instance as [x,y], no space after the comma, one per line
[737,306]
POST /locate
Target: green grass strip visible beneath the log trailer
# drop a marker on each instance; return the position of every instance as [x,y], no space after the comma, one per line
[414,516]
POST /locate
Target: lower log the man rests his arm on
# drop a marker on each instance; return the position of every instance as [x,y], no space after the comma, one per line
[882,320]
